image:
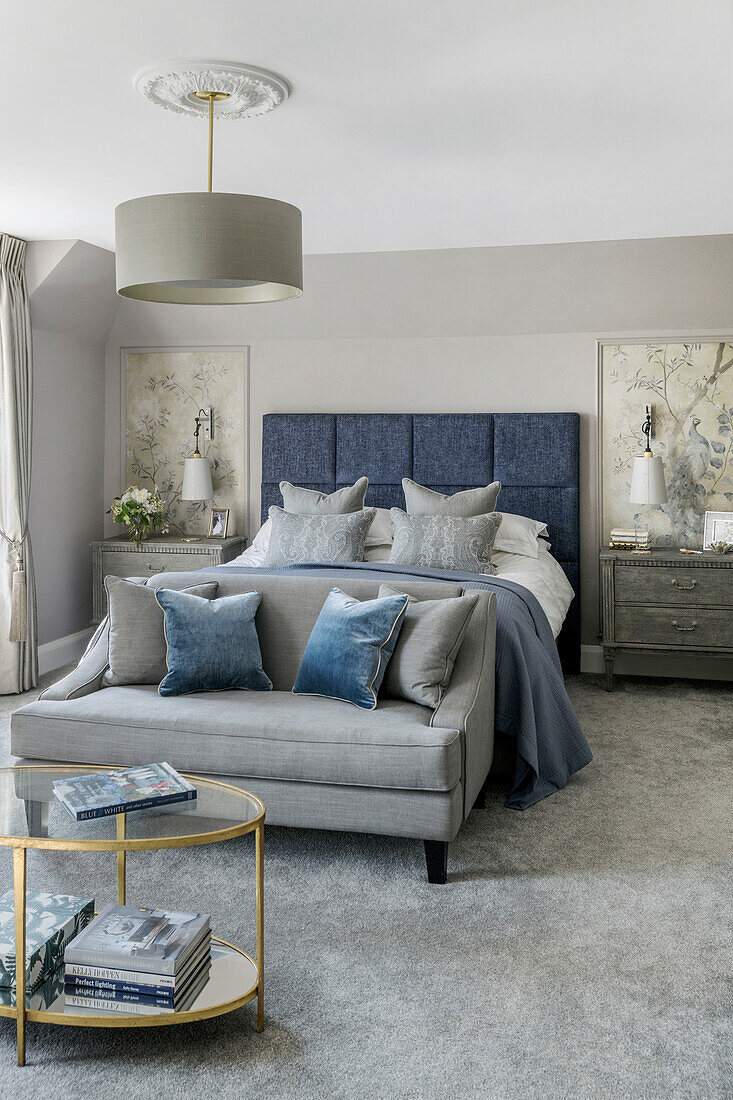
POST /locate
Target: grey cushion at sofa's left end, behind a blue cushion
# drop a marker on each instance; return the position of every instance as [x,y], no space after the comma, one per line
[137,652]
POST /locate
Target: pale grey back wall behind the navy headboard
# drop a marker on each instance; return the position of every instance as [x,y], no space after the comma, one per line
[507,329]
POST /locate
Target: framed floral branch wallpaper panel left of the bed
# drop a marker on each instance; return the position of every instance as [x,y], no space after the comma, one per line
[165,392]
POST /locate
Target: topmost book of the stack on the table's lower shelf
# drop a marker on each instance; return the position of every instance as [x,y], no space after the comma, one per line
[152,941]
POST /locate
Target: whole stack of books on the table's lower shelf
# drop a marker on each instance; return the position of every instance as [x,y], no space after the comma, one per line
[138,961]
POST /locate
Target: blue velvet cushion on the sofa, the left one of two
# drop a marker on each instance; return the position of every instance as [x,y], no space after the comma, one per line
[213,645]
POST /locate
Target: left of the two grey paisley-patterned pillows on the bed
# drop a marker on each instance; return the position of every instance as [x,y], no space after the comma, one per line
[296,538]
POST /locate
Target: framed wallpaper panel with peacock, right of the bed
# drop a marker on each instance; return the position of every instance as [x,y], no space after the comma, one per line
[690,387]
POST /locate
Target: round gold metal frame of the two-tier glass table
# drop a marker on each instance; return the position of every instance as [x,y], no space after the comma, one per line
[122,845]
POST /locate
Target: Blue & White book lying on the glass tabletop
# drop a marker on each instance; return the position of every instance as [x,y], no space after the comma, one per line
[122,791]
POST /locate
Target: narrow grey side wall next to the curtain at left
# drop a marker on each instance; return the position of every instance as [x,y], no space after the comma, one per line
[73,304]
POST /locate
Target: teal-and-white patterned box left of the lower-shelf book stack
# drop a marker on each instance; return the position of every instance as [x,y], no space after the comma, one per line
[51,923]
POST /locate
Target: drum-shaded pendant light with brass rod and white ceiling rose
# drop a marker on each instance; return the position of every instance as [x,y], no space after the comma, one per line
[210,248]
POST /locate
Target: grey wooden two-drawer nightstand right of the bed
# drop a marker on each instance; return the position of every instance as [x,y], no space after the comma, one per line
[666,602]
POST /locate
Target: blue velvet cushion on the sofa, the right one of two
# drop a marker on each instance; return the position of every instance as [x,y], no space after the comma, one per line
[351,647]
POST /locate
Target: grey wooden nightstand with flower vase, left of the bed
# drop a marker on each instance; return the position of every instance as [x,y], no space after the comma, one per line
[118,557]
